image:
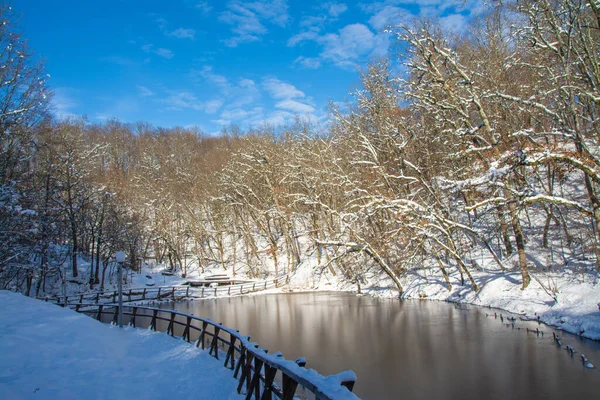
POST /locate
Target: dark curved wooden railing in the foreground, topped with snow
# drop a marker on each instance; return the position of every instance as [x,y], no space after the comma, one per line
[260,375]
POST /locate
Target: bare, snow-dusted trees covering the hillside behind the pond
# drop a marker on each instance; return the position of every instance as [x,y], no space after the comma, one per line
[482,146]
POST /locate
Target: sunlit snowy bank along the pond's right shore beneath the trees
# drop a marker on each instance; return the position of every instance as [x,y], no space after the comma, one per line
[565,299]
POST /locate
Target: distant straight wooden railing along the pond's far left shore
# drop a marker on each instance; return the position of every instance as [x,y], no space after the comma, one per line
[169,292]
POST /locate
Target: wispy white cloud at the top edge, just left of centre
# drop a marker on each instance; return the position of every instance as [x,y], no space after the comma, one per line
[246,19]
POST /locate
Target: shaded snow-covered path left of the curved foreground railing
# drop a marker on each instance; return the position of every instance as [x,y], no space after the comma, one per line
[47,352]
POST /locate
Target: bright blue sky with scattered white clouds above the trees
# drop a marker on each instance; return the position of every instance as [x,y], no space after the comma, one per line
[213,63]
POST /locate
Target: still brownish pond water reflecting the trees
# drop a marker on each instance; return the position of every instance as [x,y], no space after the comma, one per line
[411,349]
